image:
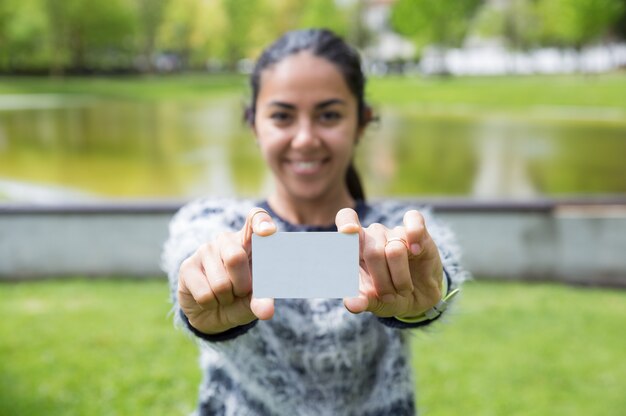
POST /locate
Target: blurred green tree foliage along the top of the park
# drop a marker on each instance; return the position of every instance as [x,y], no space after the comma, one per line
[82,36]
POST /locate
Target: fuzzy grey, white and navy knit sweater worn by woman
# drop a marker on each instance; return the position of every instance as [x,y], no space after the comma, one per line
[313,357]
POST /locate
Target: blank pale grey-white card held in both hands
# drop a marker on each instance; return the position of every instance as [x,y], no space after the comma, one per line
[305,265]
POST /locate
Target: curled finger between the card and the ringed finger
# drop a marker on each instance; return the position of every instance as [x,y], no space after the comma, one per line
[376,262]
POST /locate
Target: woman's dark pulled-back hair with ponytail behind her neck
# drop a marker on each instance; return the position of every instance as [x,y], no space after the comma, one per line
[324,44]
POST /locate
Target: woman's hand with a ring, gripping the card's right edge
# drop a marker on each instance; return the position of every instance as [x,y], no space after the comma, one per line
[400,269]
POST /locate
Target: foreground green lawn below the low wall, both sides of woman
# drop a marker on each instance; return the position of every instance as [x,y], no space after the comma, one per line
[108,347]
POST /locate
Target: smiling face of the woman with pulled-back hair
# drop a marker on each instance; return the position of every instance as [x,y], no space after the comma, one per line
[306,126]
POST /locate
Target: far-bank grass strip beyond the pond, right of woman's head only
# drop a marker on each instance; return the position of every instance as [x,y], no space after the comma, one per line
[602,92]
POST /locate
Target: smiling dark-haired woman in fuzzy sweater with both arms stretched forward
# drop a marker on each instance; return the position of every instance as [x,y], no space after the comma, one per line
[294,356]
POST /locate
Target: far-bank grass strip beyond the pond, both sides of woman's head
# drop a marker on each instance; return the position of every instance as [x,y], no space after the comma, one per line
[457,94]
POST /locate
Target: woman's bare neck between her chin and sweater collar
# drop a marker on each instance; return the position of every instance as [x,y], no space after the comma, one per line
[321,211]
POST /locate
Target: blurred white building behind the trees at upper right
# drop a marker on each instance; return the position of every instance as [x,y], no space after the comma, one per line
[388,52]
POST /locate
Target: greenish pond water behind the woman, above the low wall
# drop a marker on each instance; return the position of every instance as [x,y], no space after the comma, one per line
[60,148]
